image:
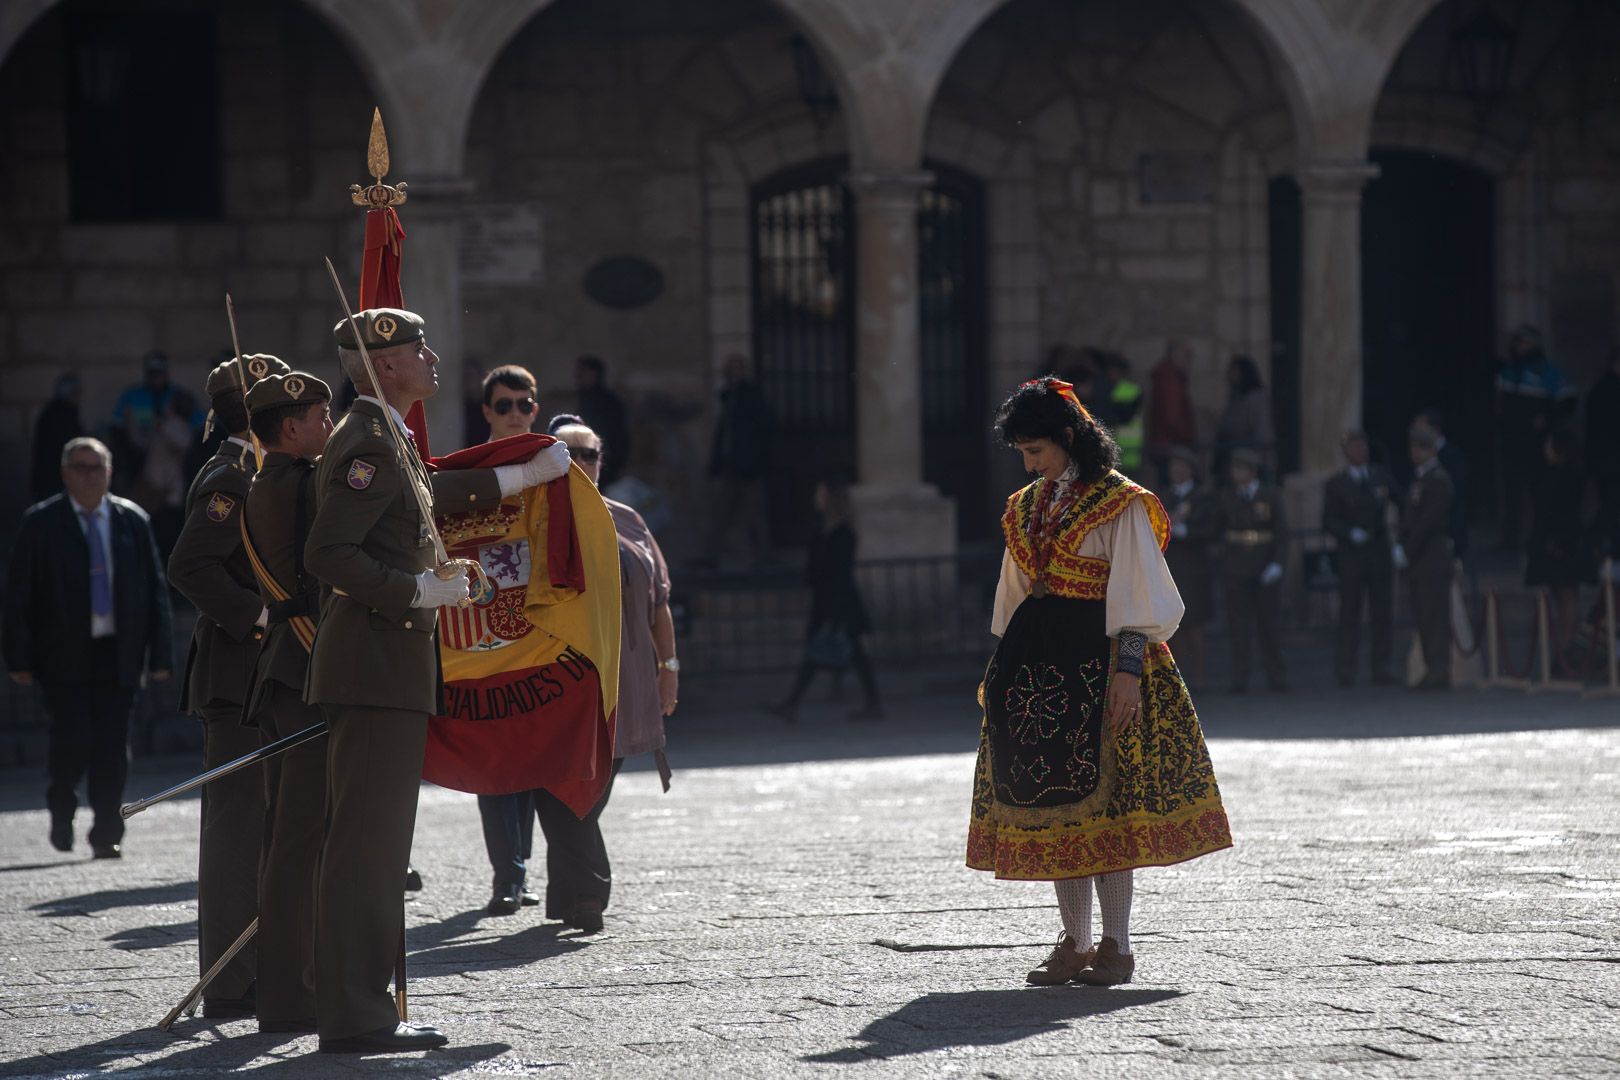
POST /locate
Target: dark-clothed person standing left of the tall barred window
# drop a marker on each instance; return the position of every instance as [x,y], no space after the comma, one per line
[740,461]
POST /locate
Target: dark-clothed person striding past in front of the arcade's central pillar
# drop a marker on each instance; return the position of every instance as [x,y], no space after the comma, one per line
[838,618]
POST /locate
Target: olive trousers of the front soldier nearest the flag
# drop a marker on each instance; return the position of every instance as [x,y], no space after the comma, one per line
[373,778]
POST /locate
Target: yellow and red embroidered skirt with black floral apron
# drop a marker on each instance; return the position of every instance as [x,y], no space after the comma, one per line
[1055,794]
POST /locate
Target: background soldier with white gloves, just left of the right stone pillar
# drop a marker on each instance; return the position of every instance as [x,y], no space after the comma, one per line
[1256,538]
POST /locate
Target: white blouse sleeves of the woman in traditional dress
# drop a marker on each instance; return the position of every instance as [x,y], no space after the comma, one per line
[1141,593]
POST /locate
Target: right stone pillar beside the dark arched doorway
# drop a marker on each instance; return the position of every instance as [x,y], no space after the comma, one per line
[1331,381]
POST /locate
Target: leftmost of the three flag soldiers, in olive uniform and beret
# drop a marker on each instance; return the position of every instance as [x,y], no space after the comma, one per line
[211,571]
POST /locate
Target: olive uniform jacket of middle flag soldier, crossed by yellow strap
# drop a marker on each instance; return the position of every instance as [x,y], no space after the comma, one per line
[279,512]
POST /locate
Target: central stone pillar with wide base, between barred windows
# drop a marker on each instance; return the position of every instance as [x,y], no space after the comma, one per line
[897,512]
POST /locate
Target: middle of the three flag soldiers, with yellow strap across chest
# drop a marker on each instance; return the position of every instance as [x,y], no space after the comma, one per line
[292,419]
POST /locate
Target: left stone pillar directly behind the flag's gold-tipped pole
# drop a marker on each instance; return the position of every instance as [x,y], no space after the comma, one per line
[432,281]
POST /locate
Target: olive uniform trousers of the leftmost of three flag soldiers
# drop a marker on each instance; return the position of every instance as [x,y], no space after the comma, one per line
[229,853]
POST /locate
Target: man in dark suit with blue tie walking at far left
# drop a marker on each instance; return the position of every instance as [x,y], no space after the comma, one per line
[87,616]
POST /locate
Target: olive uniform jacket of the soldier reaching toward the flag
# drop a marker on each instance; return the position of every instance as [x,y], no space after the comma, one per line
[367,545]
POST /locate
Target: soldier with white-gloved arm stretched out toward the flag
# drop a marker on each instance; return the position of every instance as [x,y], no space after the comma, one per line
[375,666]
